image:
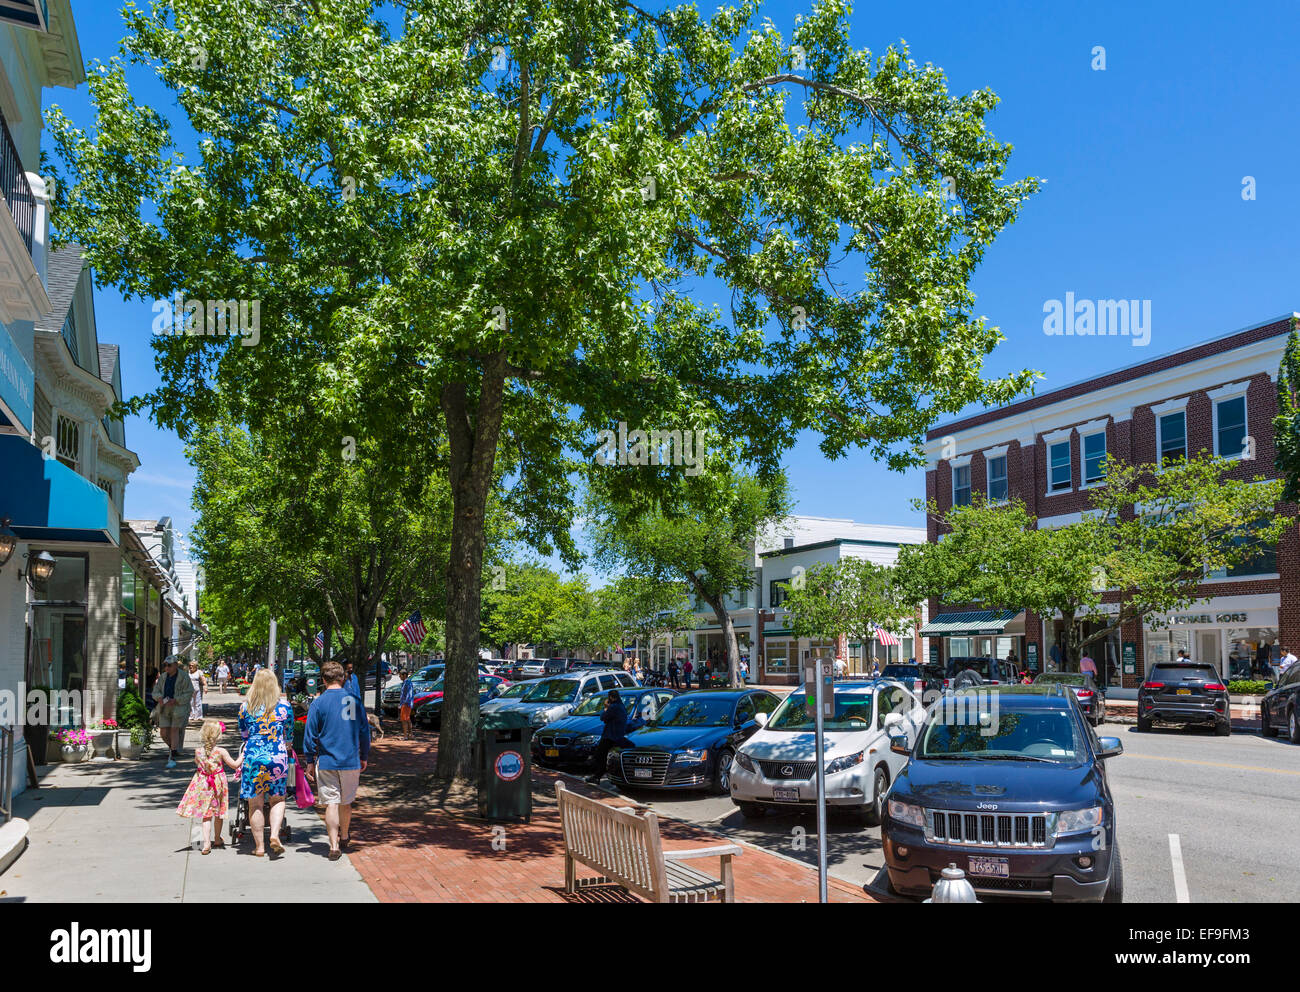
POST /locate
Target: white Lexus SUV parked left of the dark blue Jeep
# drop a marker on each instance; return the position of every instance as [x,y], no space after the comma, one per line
[778,766]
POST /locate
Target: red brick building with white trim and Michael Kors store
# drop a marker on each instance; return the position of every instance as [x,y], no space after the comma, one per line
[1221,397]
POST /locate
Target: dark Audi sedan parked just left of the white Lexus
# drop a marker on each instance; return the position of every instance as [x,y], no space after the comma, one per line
[694,740]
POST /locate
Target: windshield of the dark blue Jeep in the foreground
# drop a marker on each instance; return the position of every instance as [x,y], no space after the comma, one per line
[986,726]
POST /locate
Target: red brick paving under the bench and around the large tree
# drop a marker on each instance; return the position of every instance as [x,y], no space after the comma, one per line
[411,847]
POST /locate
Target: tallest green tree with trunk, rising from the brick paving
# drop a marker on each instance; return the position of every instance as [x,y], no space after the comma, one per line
[492,216]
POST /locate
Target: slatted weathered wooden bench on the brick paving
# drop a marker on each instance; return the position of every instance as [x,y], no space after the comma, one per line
[625,847]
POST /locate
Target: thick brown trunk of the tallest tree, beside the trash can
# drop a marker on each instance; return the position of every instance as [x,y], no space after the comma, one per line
[473,458]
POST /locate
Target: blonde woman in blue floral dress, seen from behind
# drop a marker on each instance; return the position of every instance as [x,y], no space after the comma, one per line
[266,724]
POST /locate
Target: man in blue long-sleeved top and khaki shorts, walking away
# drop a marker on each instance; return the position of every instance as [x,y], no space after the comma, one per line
[336,748]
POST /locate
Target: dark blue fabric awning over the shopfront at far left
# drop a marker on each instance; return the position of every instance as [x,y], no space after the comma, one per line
[47,501]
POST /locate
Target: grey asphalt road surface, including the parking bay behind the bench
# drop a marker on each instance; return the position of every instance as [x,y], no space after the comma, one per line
[1230,804]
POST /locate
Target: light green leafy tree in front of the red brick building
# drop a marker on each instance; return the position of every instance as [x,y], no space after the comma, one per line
[1110,569]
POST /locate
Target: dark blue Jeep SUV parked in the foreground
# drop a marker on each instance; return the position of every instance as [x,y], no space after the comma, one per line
[1011,786]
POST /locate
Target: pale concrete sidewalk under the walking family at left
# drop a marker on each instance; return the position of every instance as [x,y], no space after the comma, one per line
[103,831]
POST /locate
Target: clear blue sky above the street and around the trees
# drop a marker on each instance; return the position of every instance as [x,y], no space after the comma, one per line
[1145,166]
